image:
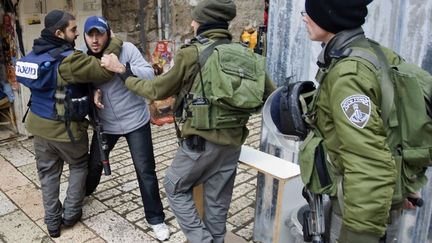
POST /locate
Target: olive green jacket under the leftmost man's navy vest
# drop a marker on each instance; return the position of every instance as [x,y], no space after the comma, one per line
[74,69]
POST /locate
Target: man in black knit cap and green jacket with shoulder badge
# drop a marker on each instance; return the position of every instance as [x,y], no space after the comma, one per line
[348,117]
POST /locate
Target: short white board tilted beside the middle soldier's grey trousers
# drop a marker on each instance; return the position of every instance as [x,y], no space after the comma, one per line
[269,164]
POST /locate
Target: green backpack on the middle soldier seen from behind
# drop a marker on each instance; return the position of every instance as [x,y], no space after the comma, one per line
[228,88]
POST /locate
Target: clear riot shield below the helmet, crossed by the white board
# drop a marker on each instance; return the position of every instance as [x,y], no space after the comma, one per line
[267,197]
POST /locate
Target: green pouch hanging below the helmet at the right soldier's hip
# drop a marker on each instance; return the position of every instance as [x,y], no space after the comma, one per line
[315,174]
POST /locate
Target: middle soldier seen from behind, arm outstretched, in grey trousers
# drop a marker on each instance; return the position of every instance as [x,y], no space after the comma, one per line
[206,156]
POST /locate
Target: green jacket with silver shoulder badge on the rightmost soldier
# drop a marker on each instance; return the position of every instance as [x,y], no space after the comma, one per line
[349,119]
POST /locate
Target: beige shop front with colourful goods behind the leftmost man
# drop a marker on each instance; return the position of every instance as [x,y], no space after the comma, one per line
[20,23]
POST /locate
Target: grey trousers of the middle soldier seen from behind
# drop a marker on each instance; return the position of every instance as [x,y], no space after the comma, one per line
[215,167]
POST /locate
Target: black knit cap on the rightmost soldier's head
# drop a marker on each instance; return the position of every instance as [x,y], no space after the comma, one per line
[337,15]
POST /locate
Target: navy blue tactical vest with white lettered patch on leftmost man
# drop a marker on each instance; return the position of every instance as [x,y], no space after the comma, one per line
[50,99]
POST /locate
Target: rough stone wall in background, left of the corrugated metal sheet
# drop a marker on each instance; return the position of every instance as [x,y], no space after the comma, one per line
[136,20]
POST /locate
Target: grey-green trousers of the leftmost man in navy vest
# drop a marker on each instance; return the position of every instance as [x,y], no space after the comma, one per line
[50,158]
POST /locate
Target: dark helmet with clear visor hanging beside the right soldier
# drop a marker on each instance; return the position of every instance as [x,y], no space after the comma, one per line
[287,108]
